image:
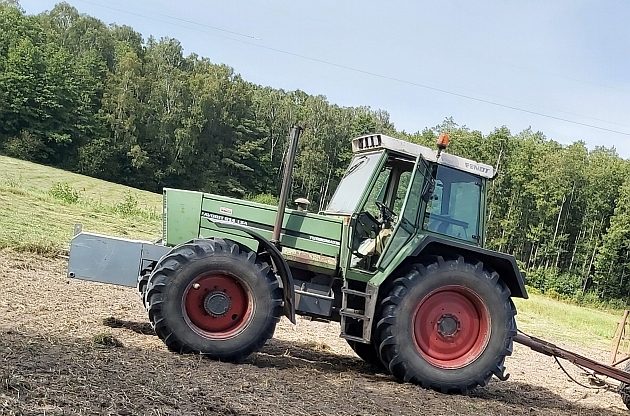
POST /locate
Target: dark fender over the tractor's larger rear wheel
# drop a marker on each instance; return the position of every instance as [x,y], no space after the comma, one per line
[502,263]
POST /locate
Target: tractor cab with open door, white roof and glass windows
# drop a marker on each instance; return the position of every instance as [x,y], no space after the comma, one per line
[393,190]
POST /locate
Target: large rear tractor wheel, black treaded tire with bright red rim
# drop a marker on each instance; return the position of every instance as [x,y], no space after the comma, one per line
[446,325]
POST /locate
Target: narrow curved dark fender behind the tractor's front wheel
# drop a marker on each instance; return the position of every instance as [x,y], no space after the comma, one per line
[282,268]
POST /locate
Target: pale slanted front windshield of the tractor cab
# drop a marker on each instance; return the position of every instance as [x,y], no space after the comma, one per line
[353,183]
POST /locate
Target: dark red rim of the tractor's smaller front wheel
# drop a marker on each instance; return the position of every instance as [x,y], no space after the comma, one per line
[217,306]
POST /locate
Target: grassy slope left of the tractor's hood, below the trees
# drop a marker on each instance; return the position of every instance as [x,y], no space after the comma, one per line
[40,206]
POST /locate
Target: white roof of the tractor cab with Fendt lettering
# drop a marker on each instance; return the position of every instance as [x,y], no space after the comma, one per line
[371,142]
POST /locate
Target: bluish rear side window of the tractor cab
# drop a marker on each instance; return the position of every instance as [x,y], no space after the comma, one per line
[453,209]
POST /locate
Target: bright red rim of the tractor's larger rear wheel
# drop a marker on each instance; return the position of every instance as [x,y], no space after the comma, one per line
[451,327]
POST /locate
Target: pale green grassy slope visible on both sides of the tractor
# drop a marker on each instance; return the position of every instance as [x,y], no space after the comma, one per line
[32,219]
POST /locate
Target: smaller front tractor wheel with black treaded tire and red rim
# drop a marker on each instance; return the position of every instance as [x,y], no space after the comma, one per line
[212,298]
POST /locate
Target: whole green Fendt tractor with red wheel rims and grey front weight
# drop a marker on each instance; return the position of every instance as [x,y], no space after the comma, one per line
[397,258]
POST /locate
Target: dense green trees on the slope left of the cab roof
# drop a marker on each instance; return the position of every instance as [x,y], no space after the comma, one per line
[99,100]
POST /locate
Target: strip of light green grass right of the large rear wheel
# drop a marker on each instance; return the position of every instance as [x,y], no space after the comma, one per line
[563,322]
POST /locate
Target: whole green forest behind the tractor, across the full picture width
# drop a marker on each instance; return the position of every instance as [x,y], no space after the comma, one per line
[101,100]
